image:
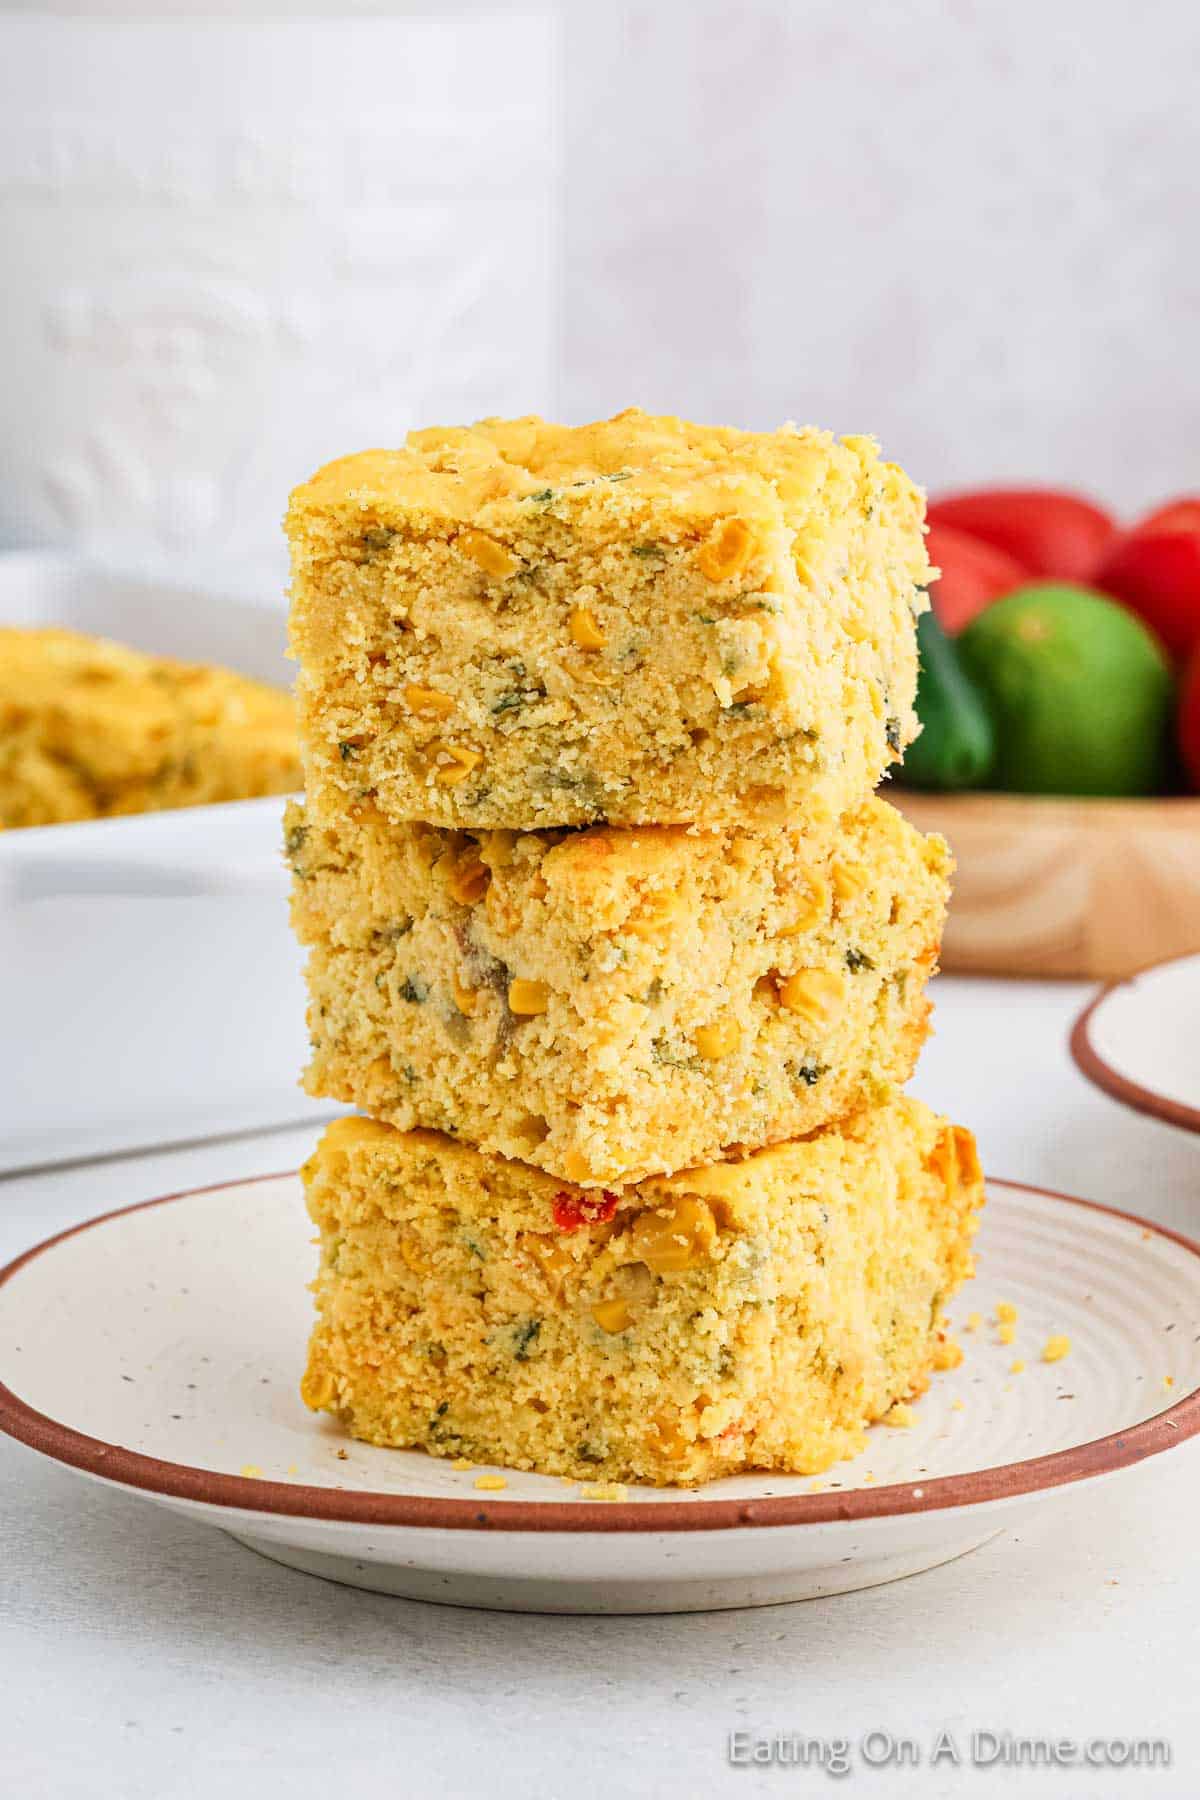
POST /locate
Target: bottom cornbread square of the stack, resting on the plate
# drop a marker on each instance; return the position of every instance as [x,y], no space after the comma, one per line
[751,1315]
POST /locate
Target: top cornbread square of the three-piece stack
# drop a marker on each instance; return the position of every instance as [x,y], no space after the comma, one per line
[532,625]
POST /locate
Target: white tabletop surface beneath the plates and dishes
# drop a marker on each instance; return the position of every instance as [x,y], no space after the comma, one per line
[148,1657]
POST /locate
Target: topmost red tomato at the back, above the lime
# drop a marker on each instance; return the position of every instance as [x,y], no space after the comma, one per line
[1052,534]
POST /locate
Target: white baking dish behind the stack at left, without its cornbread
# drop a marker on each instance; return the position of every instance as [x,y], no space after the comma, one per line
[150,989]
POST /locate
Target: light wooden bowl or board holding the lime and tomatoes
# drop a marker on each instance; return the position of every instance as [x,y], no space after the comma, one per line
[1089,888]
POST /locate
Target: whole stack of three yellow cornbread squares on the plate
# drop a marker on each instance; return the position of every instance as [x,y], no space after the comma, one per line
[618,951]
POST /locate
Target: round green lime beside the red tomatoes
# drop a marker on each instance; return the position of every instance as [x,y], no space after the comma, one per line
[1079,690]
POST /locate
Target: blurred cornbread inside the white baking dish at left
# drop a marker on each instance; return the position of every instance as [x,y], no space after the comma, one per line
[91,728]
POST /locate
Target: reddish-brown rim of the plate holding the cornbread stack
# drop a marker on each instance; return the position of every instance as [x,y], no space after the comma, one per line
[114,1462]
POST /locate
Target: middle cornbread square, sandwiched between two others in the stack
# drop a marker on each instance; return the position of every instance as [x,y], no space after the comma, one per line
[614,1002]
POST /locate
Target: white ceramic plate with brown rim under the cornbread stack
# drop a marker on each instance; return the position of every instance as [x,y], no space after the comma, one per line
[159,1349]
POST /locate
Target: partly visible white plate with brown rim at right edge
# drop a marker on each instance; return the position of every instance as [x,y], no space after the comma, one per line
[1140,1041]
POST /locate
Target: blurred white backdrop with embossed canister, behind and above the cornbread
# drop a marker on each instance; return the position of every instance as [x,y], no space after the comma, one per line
[971,229]
